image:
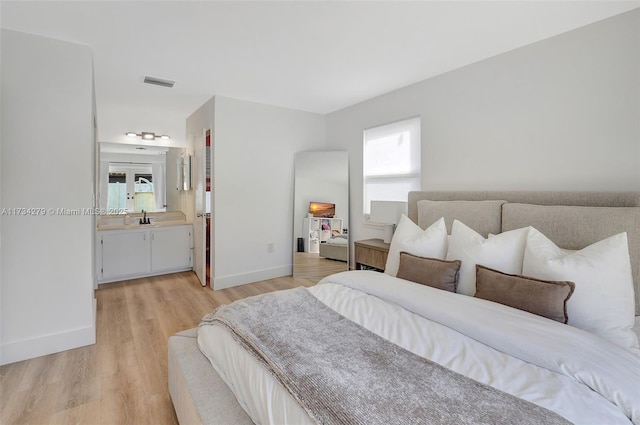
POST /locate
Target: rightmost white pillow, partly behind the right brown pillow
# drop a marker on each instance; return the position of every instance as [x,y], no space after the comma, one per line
[603,301]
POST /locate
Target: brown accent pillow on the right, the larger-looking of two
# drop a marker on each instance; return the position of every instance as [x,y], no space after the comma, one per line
[542,297]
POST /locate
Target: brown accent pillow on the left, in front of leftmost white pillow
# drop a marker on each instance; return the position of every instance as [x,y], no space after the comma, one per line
[439,274]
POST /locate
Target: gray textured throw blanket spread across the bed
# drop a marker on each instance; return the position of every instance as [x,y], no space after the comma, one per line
[342,373]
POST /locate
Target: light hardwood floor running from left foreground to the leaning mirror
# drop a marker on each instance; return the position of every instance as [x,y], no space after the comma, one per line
[122,379]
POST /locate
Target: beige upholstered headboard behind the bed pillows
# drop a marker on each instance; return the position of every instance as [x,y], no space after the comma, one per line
[573,220]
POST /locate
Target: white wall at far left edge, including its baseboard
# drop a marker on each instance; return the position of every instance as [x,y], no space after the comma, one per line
[47,149]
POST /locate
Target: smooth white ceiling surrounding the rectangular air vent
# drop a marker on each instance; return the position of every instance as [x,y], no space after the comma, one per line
[312,56]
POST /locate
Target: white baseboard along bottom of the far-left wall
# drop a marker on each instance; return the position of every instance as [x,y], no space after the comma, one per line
[47,344]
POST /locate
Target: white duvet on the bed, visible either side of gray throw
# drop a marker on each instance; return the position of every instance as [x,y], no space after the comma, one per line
[576,374]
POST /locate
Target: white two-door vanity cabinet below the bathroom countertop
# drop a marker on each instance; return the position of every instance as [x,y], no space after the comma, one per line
[143,251]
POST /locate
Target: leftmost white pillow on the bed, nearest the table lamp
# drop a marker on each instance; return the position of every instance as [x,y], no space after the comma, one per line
[409,237]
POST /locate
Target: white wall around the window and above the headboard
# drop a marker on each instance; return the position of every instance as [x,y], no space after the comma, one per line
[560,114]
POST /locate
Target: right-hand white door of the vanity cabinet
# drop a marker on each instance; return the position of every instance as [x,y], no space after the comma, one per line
[171,248]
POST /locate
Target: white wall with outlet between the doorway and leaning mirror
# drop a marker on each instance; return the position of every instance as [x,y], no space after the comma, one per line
[254,148]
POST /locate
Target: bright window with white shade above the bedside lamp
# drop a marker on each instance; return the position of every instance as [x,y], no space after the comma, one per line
[391,162]
